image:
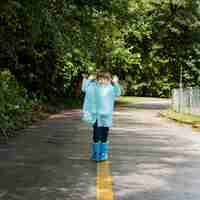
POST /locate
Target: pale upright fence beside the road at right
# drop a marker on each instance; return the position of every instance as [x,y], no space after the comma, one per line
[186,100]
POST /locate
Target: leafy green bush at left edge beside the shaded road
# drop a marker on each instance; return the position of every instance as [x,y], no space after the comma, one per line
[15,105]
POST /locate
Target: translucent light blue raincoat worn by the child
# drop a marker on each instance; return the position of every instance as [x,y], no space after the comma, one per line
[99,102]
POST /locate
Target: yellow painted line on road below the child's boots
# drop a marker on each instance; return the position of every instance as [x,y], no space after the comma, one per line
[103,182]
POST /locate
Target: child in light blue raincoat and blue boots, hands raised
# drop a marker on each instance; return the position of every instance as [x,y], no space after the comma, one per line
[98,108]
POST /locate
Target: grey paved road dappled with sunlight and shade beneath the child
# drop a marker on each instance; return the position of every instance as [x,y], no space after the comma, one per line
[151,158]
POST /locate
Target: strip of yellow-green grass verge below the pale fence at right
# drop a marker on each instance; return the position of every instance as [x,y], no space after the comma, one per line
[182,118]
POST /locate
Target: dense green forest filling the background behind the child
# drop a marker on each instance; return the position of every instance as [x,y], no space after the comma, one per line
[45,46]
